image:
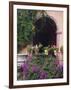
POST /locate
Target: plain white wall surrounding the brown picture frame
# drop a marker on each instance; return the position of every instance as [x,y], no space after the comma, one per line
[4,46]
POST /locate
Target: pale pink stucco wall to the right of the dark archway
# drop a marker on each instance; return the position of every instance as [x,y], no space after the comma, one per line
[58,17]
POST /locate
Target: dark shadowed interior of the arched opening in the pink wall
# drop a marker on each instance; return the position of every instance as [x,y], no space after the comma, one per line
[45,31]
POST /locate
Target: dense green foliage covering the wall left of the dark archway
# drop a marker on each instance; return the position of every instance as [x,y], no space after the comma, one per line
[25,20]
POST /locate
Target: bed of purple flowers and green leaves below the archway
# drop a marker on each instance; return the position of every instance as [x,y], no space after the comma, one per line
[40,67]
